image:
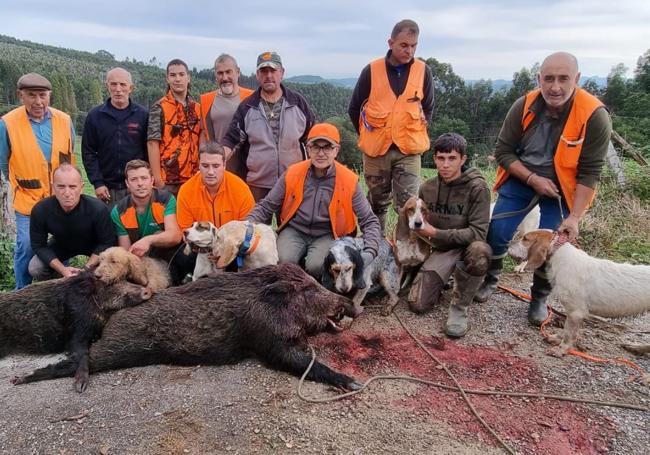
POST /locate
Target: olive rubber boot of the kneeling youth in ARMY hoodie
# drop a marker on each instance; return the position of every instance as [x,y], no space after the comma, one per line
[465,286]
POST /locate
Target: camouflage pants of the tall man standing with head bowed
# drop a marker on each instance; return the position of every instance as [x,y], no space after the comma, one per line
[393,176]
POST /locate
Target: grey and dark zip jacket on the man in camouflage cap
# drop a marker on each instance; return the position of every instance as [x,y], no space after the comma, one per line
[252,141]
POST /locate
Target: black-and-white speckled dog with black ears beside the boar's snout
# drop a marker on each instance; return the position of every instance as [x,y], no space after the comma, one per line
[344,272]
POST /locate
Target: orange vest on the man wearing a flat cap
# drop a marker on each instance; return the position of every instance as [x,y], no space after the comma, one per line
[30,175]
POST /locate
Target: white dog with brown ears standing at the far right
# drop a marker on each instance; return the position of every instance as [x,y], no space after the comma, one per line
[583,284]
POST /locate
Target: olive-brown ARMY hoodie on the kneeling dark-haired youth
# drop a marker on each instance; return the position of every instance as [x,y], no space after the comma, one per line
[459,210]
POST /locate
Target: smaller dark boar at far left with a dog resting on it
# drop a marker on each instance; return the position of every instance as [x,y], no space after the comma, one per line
[58,315]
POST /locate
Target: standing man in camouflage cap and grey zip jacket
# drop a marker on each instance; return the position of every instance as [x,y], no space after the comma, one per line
[269,129]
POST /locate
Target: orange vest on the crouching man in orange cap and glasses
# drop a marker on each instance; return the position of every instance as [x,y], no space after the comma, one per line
[342,216]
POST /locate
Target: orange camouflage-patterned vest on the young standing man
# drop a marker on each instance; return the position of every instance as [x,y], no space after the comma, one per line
[179,144]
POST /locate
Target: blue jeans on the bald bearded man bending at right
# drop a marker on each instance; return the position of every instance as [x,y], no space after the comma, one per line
[513,196]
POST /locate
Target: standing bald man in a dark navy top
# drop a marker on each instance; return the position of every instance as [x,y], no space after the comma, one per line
[114,134]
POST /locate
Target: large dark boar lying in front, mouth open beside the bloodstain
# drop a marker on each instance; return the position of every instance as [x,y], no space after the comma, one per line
[266,312]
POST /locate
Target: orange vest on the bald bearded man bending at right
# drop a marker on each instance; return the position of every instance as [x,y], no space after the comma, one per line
[569,147]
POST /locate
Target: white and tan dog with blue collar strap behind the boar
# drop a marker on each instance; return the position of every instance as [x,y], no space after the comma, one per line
[252,245]
